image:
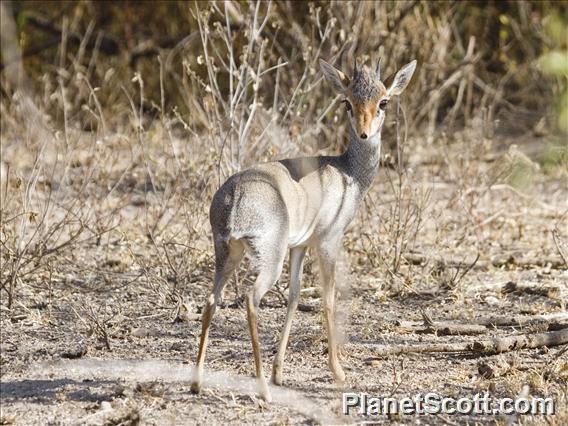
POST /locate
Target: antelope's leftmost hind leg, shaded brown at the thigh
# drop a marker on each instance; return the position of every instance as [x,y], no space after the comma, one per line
[227,258]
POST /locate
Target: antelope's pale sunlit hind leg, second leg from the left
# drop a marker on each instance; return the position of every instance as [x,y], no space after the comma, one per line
[269,263]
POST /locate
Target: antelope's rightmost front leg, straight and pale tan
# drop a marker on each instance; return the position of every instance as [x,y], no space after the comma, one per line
[327,259]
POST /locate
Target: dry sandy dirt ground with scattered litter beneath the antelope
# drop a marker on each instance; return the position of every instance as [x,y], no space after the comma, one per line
[109,343]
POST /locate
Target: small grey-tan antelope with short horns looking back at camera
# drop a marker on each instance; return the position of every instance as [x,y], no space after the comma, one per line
[298,204]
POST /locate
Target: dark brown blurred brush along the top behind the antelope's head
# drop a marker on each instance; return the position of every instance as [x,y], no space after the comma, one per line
[503,62]
